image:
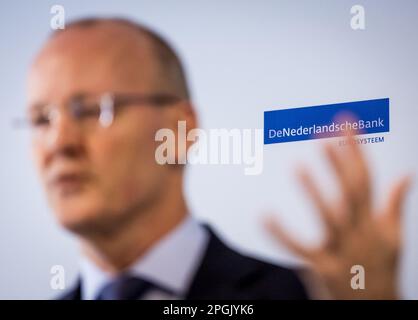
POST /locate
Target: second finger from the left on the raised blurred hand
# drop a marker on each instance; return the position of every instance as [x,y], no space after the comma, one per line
[324,210]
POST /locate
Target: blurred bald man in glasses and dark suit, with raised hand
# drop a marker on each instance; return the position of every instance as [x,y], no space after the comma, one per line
[98,92]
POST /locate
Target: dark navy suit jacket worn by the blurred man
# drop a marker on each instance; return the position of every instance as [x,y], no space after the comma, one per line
[227,274]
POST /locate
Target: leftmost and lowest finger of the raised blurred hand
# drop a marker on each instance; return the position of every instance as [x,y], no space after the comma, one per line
[277,231]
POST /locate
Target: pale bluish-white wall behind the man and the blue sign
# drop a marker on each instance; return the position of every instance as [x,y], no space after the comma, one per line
[242,57]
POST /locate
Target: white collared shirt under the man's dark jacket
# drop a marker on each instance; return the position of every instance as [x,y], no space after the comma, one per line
[171,263]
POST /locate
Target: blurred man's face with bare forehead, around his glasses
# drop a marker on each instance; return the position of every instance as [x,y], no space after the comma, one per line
[94,177]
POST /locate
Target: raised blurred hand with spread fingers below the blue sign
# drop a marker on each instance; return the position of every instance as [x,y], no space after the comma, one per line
[356,232]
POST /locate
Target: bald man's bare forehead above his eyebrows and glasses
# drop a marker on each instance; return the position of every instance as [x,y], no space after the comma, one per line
[107,47]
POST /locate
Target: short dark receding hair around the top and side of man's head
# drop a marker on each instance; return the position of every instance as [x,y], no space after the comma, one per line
[168,60]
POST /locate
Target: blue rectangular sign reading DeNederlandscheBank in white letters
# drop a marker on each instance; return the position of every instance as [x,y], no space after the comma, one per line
[324,121]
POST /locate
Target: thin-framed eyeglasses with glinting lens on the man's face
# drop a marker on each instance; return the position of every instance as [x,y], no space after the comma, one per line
[91,111]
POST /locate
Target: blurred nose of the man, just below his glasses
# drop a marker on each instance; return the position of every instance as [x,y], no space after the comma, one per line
[64,137]
